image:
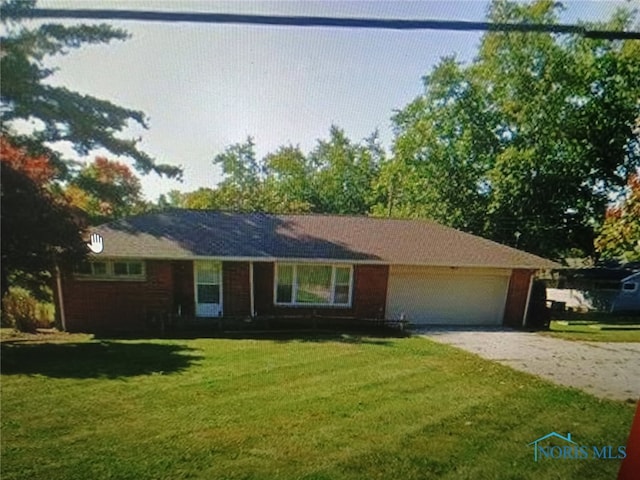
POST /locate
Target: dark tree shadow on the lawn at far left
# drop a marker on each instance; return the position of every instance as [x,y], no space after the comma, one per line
[103,359]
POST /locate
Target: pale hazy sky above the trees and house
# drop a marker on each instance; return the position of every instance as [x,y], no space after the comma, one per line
[206,86]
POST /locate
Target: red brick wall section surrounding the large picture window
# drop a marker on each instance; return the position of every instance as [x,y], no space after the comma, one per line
[369,294]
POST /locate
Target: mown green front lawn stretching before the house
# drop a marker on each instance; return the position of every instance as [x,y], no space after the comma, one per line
[307,407]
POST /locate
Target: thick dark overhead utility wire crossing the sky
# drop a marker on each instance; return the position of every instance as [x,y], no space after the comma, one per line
[296,21]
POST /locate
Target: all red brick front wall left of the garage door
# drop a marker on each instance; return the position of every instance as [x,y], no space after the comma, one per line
[98,305]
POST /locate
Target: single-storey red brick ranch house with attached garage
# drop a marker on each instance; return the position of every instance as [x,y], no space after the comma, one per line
[202,264]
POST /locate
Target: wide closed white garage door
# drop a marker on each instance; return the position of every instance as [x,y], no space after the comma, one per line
[431,296]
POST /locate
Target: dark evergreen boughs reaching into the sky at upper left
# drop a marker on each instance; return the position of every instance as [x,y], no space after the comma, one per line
[57,113]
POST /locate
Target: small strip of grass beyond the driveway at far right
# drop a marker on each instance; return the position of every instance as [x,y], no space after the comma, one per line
[606,329]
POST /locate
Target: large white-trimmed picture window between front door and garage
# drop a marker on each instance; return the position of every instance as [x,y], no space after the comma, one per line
[310,284]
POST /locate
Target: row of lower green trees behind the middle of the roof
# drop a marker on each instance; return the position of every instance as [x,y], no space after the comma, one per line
[336,177]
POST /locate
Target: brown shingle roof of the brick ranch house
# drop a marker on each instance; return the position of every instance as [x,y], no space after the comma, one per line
[182,234]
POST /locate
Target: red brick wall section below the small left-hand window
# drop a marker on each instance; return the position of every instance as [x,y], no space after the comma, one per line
[98,305]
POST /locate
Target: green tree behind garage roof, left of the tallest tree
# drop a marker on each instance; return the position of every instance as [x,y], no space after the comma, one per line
[443,149]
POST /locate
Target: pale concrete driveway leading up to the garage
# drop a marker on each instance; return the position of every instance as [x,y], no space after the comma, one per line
[606,370]
